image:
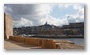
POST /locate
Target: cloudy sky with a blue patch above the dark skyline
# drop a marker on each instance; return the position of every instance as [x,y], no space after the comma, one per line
[38,14]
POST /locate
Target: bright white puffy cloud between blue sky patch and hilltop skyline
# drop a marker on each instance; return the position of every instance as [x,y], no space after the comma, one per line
[55,21]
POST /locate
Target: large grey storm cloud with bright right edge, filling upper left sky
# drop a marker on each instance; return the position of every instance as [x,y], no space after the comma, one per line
[31,12]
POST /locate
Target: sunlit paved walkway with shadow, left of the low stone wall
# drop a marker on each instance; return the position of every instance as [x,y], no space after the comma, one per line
[15,45]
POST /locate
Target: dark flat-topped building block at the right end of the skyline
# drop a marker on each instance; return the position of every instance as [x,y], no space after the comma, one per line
[74,28]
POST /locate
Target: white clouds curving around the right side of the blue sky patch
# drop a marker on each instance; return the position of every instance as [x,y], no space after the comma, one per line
[78,16]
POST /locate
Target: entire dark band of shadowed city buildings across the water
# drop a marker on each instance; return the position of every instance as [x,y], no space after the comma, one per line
[51,30]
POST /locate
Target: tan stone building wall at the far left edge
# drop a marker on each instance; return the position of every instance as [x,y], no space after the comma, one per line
[8,26]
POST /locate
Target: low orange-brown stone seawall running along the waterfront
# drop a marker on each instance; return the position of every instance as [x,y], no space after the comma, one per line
[46,43]
